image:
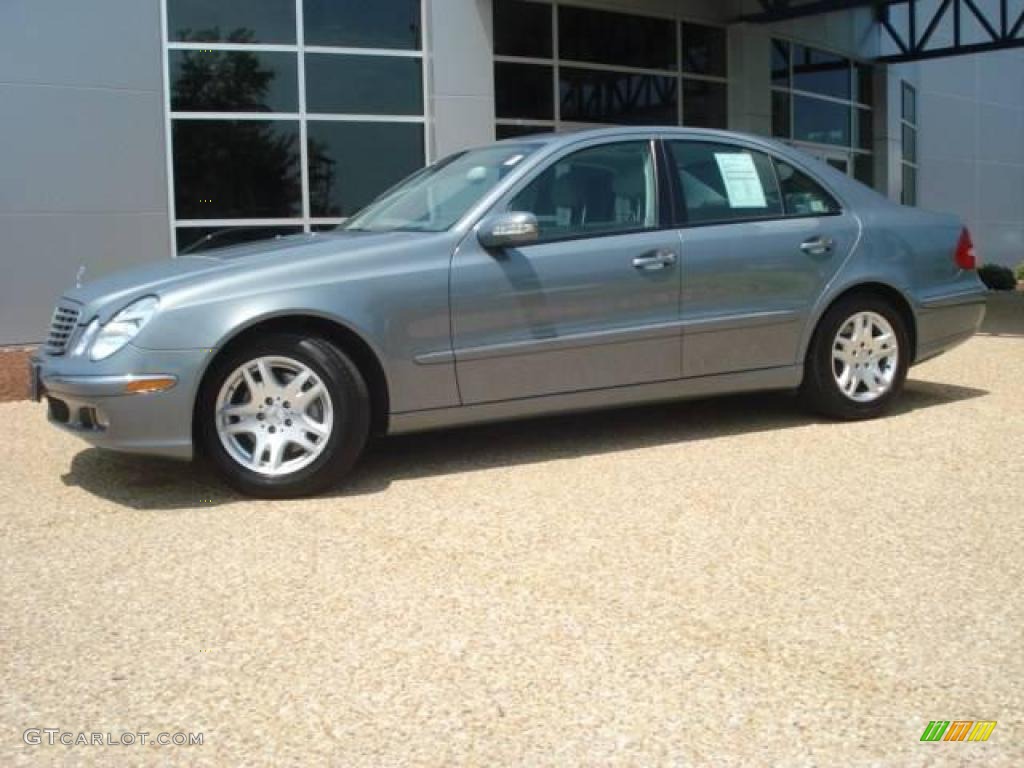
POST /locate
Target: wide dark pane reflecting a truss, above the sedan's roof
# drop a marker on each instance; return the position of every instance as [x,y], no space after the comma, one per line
[591,97]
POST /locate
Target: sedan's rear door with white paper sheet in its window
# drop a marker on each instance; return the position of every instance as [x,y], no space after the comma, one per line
[760,241]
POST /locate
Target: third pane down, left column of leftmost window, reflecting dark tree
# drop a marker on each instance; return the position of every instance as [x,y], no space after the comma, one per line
[237,169]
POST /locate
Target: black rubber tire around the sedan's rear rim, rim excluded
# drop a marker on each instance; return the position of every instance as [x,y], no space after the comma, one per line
[821,392]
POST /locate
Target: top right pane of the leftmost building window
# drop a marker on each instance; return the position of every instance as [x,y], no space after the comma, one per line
[363,24]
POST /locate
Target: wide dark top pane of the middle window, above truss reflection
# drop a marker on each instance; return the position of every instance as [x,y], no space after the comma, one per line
[604,37]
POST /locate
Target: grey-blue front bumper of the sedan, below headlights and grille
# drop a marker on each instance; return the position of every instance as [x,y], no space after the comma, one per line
[92,402]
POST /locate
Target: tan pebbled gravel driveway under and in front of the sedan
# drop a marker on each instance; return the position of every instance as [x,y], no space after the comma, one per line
[723,582]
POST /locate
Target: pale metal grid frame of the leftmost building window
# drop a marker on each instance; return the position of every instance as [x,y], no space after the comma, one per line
[308,222]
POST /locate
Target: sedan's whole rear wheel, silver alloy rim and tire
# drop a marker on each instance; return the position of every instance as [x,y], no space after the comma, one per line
[859,359]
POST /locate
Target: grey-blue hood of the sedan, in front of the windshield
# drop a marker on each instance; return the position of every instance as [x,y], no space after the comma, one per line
[108,295]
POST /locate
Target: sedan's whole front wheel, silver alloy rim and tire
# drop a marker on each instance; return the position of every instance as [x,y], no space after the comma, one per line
[284,416]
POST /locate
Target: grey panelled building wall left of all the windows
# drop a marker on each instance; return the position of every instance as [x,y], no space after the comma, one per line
[82,150]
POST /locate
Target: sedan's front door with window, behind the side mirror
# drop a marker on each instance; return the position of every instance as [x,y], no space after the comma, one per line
[593,304]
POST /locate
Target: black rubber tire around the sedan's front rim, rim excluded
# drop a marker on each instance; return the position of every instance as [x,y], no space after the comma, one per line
[350,399]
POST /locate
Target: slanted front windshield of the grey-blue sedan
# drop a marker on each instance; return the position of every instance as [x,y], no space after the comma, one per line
[435,198]
